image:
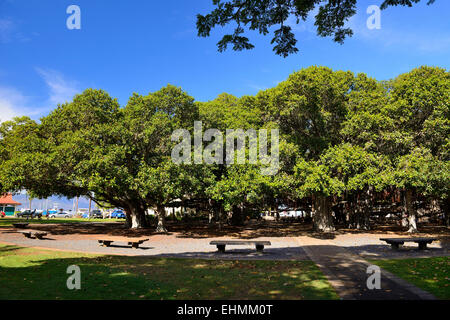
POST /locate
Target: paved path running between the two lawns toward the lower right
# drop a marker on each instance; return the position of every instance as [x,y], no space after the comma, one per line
[347,273]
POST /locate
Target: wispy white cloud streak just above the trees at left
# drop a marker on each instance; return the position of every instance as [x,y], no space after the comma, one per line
[61,89]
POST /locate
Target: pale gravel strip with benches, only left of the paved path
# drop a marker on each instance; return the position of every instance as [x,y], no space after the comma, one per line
[164,246]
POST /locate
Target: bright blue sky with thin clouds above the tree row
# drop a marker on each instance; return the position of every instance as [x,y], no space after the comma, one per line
[141,46]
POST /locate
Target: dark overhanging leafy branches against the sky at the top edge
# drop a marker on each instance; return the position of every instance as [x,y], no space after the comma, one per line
[264,15]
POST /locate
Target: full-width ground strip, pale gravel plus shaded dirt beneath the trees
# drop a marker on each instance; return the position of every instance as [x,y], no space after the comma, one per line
[288,241]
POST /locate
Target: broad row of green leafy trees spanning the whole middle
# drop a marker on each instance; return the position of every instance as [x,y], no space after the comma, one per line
[345,140]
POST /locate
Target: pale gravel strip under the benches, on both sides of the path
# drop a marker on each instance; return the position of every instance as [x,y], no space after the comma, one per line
[366,245]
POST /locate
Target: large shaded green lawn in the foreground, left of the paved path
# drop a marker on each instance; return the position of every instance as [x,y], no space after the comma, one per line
[27,273]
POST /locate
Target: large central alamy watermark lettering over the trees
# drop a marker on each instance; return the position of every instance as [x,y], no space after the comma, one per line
[235,147]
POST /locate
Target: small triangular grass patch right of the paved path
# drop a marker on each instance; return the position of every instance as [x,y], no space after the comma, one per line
[430,274]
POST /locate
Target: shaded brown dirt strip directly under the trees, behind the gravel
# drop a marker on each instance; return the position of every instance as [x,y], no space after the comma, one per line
[202,230]
